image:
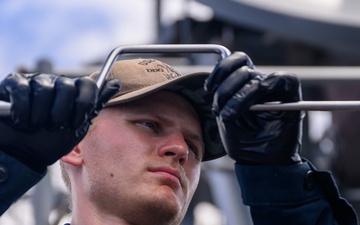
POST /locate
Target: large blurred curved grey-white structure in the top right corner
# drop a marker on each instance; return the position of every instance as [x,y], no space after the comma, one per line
[332,24]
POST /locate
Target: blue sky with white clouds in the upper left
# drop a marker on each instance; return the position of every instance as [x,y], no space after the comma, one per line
[70,33]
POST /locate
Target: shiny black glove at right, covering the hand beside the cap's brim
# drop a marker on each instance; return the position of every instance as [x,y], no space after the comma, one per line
[255,137]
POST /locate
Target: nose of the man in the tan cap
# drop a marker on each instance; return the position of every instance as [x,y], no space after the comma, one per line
[175,146]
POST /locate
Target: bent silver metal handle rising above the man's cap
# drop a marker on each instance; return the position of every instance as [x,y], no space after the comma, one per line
[155,48]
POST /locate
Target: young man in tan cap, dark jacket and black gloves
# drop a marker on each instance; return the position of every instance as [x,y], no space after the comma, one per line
[139,163]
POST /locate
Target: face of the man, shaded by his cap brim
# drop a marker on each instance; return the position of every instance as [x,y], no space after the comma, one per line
[141,160]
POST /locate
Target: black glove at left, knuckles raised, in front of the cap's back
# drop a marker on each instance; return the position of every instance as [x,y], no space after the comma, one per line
[50,115]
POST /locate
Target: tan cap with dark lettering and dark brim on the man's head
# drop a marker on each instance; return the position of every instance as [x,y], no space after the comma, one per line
[141,77]
